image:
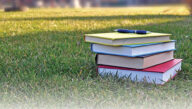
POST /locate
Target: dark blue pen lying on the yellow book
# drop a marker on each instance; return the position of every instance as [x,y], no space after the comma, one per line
[132,31]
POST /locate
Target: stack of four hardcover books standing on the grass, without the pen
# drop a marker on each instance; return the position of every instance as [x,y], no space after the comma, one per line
[140,57]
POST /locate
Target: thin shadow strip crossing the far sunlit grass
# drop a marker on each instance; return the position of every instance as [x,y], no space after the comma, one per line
[96,17]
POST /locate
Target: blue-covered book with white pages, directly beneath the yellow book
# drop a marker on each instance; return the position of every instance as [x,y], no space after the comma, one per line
[134,50]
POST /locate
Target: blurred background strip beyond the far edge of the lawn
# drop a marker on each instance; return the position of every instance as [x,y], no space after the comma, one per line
[83,3]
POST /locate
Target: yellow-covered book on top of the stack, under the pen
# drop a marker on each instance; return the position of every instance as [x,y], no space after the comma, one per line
[116,39]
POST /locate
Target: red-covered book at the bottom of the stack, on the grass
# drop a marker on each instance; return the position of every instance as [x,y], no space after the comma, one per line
[159,74]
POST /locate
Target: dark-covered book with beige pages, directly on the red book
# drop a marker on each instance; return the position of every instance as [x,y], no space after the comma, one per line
[134,62]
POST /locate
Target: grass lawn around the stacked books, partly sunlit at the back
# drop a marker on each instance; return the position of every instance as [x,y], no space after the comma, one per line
[44,61]
